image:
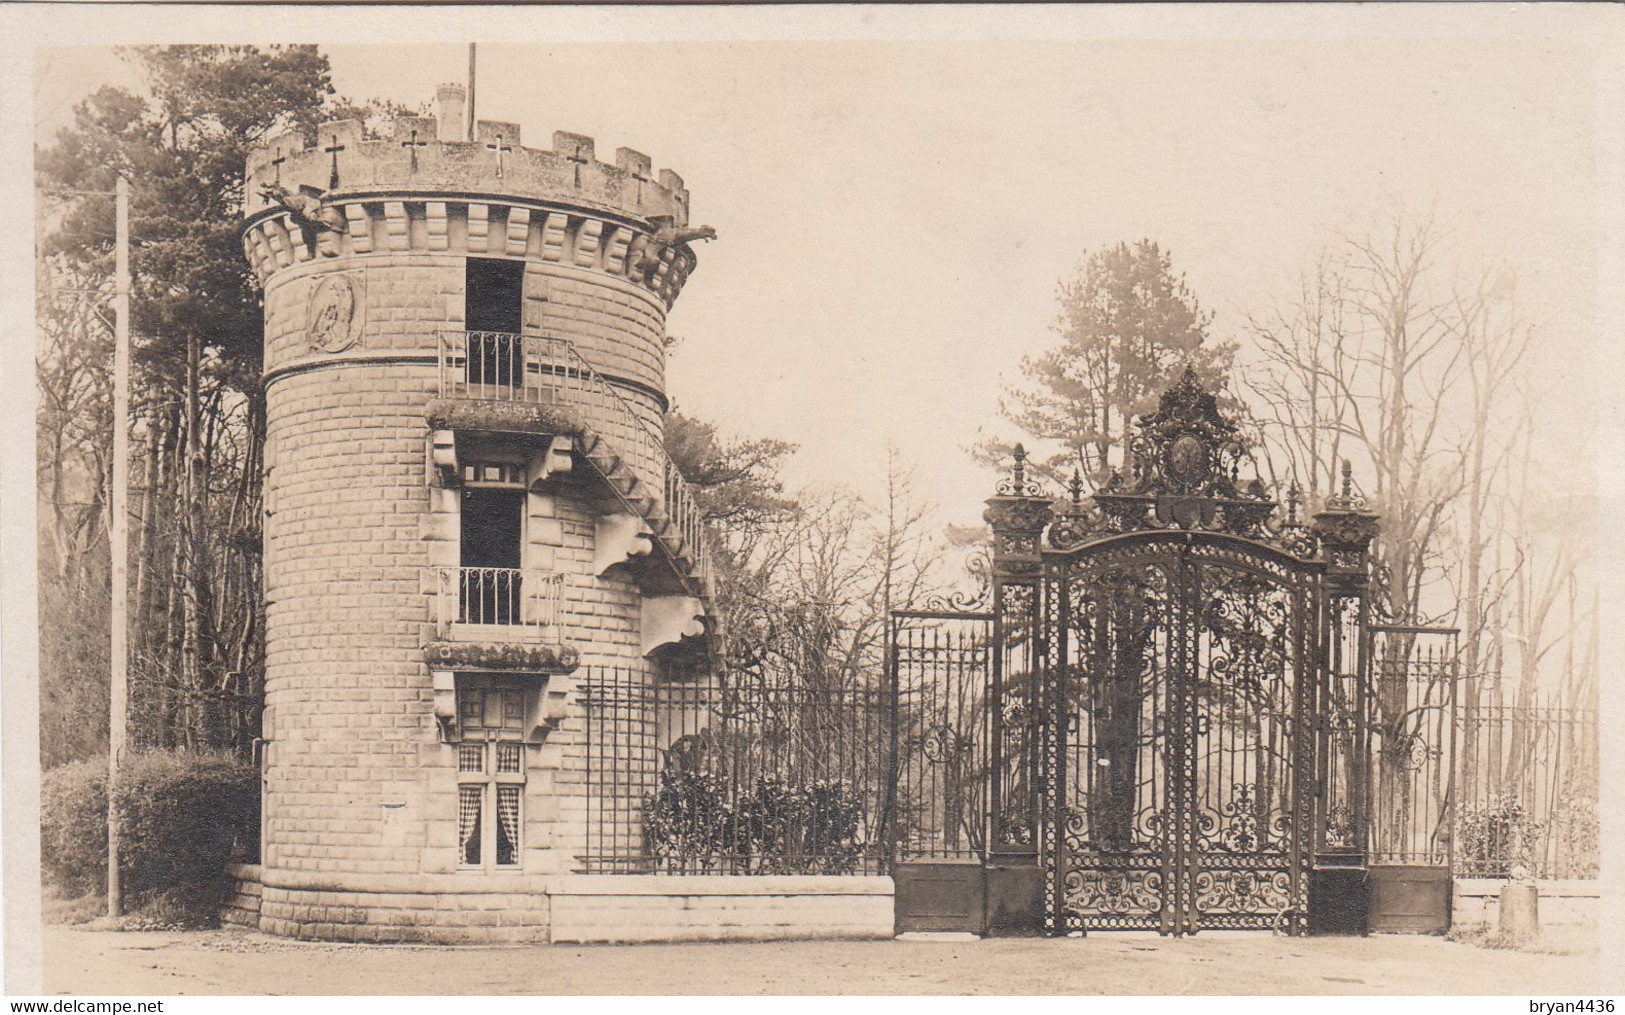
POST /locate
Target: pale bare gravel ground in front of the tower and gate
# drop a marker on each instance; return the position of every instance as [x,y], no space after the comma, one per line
[238,962]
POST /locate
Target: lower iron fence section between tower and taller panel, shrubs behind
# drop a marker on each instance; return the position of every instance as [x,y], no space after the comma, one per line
[735,777]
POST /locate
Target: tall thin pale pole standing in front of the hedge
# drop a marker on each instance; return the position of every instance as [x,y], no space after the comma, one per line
[119,537]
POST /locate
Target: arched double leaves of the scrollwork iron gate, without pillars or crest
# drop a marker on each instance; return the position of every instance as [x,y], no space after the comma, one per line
[1182,733]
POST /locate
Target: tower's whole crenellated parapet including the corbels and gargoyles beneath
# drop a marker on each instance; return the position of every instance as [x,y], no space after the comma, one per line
[345,196]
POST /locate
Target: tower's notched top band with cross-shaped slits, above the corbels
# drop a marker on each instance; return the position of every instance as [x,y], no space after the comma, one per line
[414,158]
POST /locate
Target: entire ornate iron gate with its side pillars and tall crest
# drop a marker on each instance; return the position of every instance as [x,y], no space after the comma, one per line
[1181,689]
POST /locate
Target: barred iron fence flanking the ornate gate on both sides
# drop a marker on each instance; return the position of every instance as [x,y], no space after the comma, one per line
[750,777]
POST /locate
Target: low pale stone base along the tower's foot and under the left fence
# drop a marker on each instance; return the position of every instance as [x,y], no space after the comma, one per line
[561,909]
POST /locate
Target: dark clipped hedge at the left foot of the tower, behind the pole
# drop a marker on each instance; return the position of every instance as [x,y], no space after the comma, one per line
[186,816]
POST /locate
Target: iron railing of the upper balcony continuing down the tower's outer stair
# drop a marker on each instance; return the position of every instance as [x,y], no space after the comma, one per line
[550,371]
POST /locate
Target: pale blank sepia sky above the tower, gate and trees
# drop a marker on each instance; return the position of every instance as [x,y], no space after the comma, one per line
[896,207]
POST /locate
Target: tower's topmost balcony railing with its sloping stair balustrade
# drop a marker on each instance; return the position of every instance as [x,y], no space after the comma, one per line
[625,446]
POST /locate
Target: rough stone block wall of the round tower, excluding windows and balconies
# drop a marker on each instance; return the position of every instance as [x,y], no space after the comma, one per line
[362,248]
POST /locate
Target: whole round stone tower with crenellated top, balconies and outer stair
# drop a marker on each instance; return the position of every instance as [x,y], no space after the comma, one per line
[469,507]
